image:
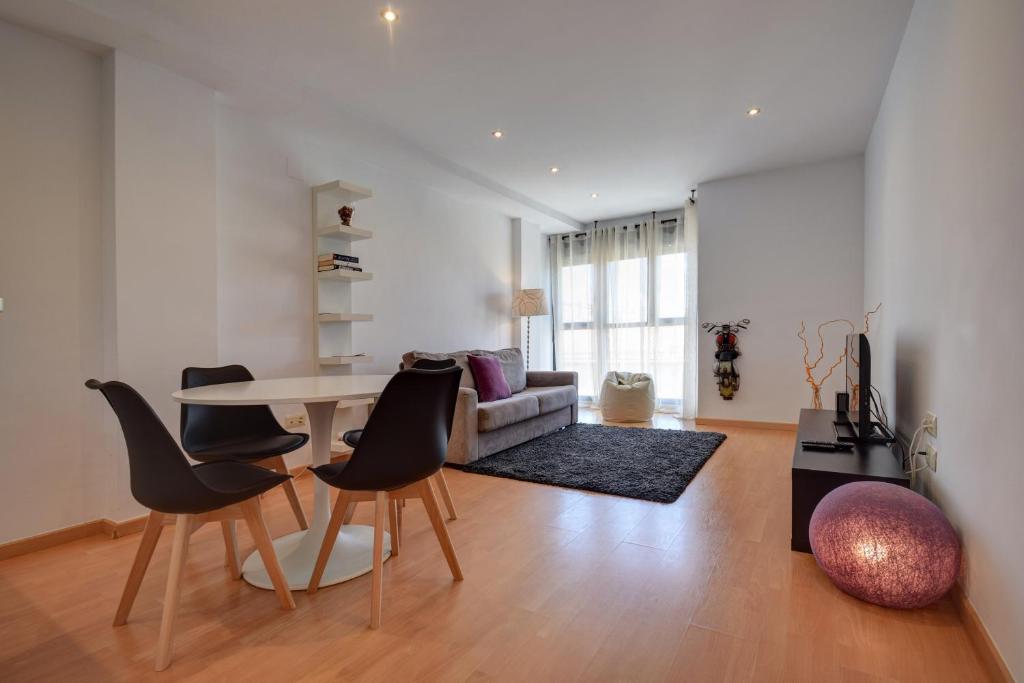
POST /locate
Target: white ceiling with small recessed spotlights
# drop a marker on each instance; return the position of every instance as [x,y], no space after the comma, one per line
[637,101]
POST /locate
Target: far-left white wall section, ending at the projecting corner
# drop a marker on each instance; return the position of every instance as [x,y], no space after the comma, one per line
[51,331]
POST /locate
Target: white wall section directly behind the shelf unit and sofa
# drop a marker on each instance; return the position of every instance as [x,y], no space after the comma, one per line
[443,269]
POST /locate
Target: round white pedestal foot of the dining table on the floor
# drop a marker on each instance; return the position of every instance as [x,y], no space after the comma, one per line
[353,558]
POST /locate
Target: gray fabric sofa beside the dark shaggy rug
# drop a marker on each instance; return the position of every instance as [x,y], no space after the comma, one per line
[542,402]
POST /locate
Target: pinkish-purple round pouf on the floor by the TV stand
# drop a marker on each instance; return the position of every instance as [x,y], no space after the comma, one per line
[885,544]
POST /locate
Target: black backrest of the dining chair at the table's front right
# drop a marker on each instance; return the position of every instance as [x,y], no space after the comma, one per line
[406,438]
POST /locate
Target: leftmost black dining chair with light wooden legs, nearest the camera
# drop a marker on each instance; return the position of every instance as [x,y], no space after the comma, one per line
[188,497]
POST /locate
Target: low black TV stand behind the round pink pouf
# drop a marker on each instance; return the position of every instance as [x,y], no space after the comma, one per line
[818,473]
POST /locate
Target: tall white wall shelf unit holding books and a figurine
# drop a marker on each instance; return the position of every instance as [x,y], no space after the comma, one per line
[333,315]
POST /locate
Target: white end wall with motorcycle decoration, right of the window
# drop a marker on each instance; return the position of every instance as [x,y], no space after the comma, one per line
[780,247]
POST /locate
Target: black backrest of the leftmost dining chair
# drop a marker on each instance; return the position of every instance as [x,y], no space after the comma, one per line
[162,480]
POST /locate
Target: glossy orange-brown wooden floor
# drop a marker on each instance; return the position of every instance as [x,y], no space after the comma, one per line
[561,586]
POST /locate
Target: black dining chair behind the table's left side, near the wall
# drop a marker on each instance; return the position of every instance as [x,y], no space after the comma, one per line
[243,434]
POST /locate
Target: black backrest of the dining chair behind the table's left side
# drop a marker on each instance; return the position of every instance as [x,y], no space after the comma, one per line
[204,425]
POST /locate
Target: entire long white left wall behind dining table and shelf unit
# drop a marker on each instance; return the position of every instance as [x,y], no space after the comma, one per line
[148,227]
